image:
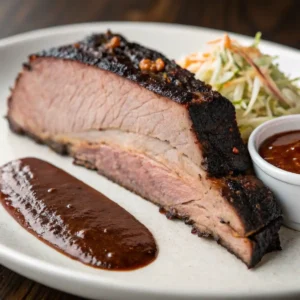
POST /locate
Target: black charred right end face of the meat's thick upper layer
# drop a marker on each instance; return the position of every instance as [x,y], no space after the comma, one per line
[215,127]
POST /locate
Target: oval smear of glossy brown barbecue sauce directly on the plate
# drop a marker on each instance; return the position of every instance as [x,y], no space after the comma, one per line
[74,218]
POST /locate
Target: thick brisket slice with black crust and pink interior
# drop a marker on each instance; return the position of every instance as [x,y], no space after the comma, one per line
[163,135]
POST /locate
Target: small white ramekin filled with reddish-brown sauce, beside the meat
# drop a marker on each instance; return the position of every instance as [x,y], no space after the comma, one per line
[275,151]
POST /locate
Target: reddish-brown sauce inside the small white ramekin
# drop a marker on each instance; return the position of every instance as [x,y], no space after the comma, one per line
[283,151]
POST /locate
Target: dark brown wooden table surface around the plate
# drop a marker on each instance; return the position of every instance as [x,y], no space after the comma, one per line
[278,20]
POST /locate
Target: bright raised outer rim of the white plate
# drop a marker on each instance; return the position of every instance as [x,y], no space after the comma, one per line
[8,255]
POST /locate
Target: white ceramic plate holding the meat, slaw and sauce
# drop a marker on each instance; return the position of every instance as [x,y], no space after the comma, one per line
[187,267]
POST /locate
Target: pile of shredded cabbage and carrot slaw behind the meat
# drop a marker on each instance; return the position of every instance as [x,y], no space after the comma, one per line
[250,79]
